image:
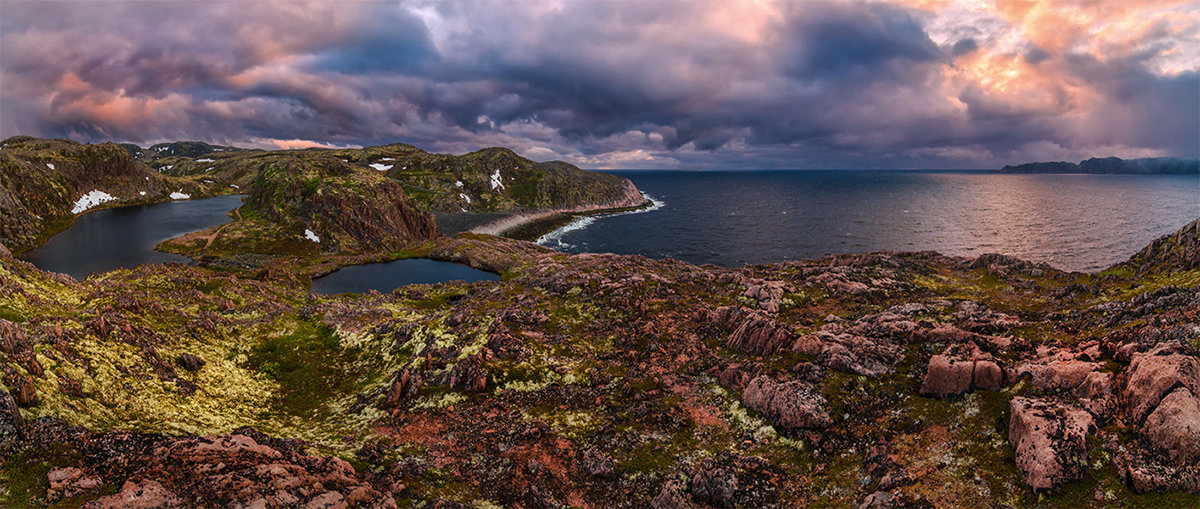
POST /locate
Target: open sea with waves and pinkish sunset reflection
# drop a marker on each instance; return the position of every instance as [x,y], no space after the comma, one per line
[1075,223]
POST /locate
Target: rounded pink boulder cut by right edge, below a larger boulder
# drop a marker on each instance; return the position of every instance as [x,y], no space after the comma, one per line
[1175,427]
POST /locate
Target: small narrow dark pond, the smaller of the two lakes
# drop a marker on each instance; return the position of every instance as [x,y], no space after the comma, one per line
[392,276]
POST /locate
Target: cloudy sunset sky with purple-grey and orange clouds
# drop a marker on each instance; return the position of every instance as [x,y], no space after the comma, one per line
[718,85]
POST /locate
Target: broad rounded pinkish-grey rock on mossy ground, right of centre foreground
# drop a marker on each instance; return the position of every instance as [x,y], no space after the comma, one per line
[790,405]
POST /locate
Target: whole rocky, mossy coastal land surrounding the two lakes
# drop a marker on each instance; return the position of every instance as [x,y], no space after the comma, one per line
[883,380]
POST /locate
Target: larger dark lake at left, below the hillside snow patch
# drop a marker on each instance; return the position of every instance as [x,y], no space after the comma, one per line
[124,238]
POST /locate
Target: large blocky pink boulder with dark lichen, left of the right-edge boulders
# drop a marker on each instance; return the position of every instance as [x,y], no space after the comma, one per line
[1051,442]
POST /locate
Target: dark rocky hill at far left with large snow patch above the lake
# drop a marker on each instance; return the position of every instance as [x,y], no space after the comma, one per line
[46,183]
